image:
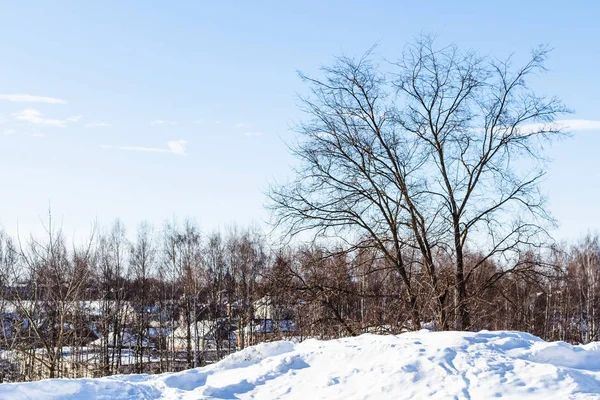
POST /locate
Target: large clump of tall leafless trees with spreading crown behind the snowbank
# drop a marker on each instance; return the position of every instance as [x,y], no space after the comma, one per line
[434,155]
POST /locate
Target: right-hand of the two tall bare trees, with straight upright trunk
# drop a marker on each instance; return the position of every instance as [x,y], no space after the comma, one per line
[476,119]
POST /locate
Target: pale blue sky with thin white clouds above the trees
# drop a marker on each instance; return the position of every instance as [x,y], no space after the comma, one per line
[147,110]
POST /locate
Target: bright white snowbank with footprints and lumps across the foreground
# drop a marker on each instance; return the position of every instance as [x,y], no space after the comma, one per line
[419,365]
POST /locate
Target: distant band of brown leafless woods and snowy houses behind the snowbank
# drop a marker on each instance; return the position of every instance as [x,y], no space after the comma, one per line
[175,297]
